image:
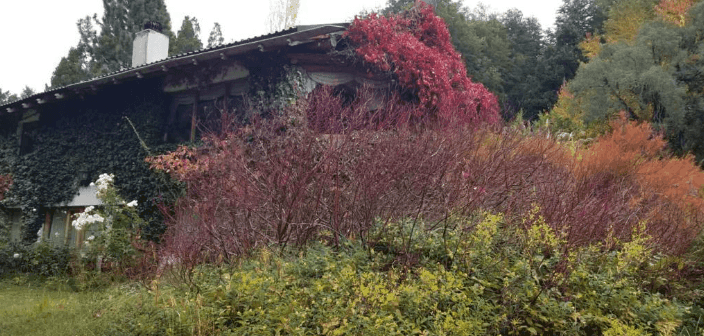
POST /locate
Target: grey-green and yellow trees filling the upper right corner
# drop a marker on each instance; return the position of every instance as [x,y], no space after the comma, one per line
[656,75]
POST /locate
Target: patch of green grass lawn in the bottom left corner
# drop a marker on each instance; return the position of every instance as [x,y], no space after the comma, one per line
[31,307]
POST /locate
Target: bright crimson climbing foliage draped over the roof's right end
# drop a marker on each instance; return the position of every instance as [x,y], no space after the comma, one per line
[415,45]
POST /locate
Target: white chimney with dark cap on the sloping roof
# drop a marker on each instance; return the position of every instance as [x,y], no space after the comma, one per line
[150,45]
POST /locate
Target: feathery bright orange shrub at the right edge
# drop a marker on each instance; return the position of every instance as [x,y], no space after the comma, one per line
[666,190]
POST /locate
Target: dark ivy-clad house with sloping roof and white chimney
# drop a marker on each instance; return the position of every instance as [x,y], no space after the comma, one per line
[179,91]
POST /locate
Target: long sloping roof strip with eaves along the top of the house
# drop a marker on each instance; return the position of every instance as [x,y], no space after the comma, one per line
[289,37]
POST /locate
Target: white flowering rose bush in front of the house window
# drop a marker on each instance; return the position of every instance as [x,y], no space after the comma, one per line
[109,228]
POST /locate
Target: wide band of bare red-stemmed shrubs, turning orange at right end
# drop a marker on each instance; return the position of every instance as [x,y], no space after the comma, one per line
[281,181]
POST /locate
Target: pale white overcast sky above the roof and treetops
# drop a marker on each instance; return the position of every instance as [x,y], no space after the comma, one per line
[36,34]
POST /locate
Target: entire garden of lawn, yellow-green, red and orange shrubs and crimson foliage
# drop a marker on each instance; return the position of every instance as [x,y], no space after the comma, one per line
[425,214]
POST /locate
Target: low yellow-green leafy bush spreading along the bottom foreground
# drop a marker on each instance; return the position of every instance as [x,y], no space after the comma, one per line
[477,276]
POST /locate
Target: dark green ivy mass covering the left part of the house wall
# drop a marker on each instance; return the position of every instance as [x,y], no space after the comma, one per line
[76,140]
